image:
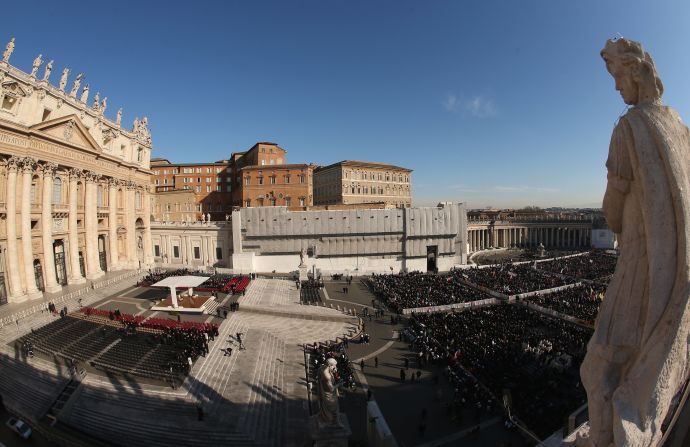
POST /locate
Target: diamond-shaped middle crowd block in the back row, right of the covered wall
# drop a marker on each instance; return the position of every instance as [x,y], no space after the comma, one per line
[511,279]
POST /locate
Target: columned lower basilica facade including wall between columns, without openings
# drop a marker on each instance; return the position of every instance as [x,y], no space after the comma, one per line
[23,255]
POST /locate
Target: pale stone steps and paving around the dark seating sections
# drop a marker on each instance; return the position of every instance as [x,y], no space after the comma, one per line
[256,396]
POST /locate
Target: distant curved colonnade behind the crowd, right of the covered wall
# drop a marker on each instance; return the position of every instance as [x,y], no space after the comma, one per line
[484,238]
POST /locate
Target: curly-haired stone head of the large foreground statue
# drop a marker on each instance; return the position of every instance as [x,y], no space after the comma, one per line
[633,69]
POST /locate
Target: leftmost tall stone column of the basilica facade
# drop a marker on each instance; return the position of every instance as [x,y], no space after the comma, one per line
[17,294]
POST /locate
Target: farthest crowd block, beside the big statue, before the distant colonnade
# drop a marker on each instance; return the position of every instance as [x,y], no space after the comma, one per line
[595,266]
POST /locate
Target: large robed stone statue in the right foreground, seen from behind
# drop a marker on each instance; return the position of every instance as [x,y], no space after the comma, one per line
[637,359]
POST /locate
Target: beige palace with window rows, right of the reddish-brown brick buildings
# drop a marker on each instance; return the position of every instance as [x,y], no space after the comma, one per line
[350,181]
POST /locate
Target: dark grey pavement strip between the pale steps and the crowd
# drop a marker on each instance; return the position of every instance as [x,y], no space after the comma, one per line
[402,402]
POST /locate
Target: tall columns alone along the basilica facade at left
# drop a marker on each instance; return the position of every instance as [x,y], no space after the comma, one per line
[22,281]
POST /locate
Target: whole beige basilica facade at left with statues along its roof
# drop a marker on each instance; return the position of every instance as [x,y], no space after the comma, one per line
[73,185]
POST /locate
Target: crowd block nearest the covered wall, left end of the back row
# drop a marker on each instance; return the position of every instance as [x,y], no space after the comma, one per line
[416,289]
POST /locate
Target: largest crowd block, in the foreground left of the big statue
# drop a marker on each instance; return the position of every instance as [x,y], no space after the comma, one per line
[507,347]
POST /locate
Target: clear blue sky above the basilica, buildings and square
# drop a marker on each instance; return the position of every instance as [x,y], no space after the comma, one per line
[493,103]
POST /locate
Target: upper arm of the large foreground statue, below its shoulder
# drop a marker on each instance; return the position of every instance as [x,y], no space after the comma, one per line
[619,176]
